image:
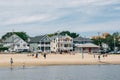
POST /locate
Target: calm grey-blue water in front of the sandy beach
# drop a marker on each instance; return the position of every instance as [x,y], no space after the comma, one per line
[71,72]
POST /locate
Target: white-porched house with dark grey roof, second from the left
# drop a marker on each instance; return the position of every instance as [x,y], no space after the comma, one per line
[40,43]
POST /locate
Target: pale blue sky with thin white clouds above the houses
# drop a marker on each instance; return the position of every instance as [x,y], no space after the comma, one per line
[37,17]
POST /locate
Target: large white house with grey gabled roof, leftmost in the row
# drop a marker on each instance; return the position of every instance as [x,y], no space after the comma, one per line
[15,43]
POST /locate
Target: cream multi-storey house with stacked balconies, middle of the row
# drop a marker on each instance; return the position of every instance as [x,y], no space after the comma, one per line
[61,43]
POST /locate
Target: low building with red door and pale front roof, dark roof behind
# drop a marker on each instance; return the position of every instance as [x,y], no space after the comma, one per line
[85,45]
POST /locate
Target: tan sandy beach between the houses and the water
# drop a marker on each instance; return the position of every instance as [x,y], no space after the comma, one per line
[56,59]
